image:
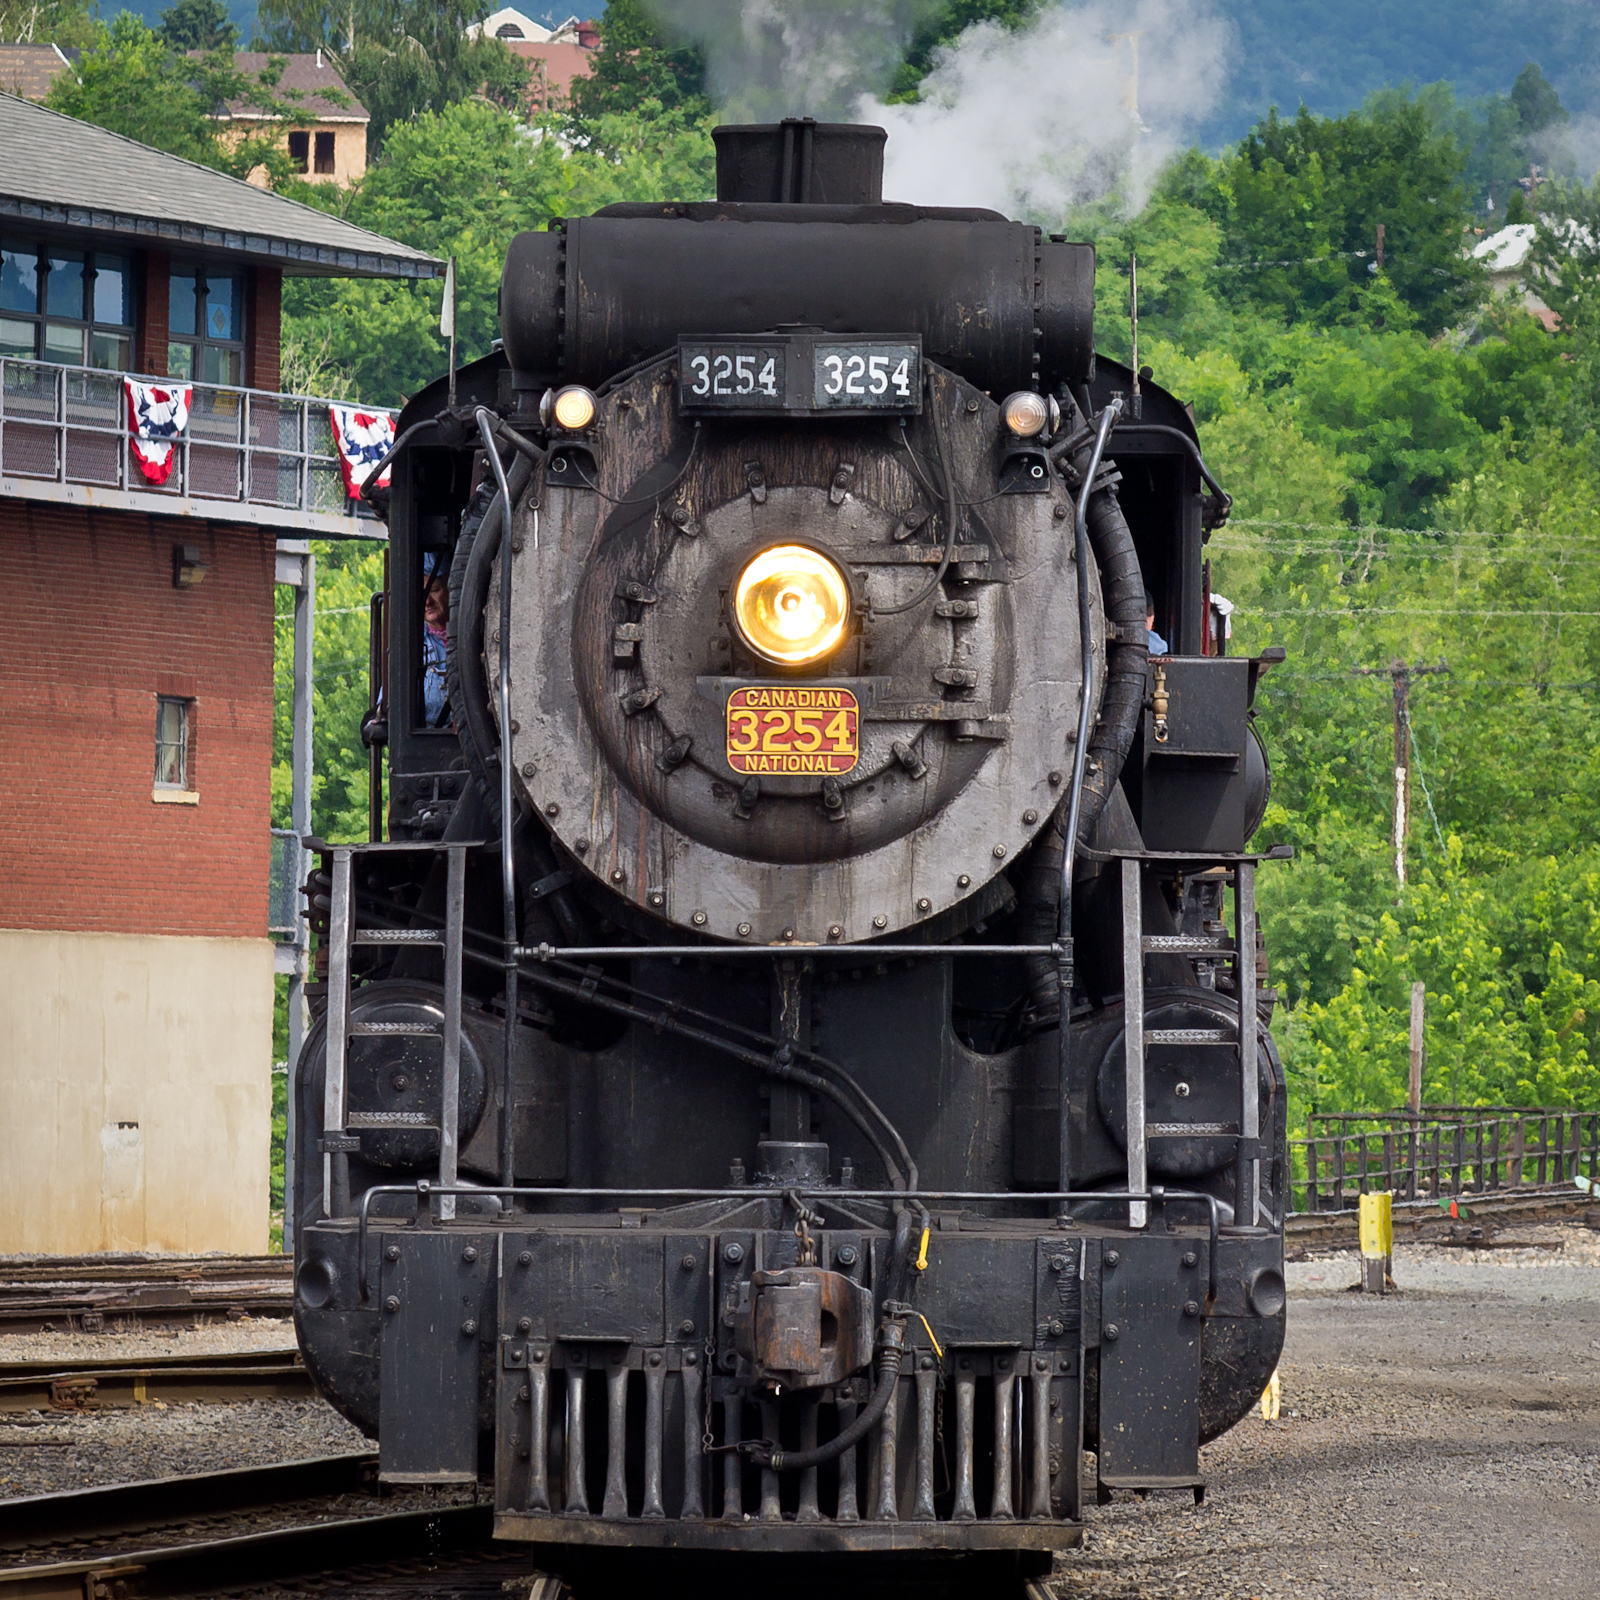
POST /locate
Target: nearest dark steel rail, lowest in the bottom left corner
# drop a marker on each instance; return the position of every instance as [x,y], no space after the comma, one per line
[254,1561]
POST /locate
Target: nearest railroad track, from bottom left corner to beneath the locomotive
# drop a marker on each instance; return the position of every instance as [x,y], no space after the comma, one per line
[193,1537]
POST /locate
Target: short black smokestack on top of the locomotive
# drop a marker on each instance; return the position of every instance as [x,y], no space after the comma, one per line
[801,162]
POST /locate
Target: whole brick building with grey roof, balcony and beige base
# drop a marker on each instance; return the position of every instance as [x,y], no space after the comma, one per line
[135,1066]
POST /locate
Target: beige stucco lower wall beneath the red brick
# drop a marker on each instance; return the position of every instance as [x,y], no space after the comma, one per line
[135,1094]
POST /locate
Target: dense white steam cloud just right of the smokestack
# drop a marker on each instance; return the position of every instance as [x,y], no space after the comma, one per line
[1070,111]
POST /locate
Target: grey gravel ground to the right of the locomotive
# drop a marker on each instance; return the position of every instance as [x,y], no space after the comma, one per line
[1439,1444]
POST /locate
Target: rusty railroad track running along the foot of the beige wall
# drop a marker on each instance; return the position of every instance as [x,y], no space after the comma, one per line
[94,1294]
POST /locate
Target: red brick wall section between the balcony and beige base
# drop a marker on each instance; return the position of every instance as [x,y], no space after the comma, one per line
[98,633]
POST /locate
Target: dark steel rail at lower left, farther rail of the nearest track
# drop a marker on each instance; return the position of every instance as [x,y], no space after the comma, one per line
[159,1503]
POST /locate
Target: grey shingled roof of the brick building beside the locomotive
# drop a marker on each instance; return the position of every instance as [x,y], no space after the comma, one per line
[74,177]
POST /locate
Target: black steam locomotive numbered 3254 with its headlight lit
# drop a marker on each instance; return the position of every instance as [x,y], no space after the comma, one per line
[796,1074]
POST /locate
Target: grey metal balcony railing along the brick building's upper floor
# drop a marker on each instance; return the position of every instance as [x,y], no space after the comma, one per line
[247,454]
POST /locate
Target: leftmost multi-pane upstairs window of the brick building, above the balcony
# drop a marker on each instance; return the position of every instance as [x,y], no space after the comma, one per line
[68,306]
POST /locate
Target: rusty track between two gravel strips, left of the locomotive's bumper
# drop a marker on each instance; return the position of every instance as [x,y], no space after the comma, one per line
[90,1385]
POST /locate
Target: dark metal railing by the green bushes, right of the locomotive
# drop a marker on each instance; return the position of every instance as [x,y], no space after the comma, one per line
[1441,1153]
